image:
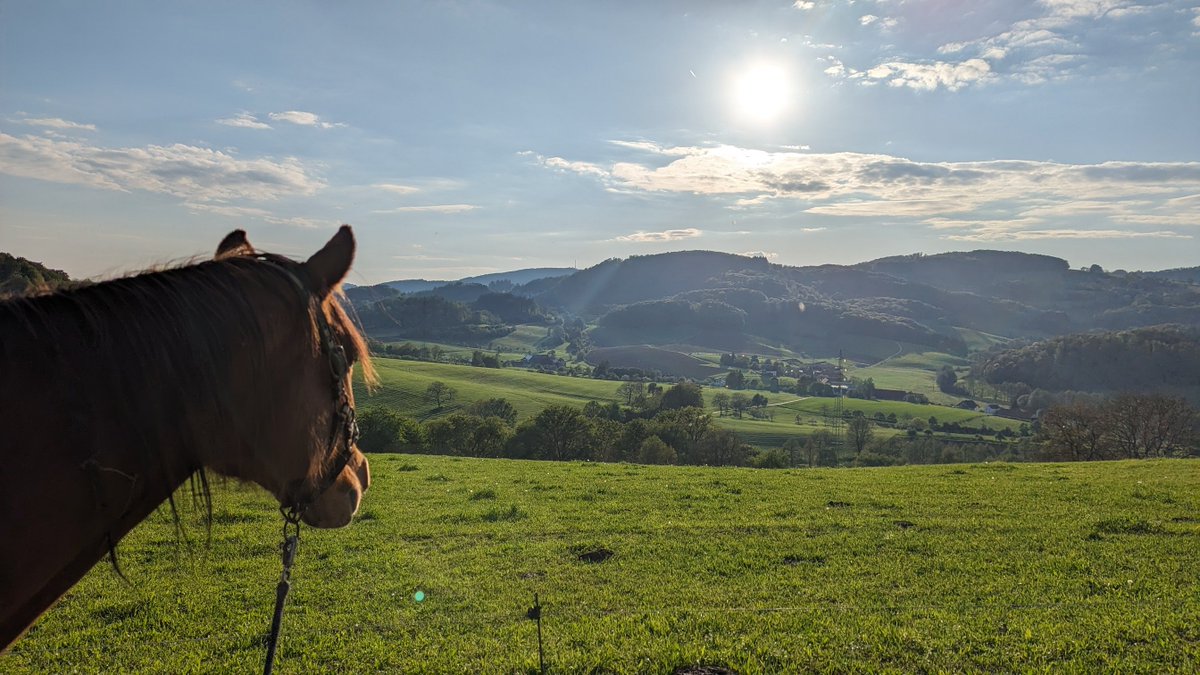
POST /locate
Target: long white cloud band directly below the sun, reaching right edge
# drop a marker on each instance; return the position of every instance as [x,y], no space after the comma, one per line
[980,199]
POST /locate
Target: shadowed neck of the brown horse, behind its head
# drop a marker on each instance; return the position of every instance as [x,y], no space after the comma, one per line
[97,444]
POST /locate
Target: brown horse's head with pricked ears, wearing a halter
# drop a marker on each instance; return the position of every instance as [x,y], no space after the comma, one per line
[301,443]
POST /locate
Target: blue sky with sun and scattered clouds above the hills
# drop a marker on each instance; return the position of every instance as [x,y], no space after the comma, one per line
[471,138]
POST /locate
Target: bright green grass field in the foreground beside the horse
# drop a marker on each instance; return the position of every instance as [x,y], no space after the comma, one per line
[1083,569]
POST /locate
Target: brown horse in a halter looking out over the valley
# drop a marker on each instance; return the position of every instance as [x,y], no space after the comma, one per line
[113,395]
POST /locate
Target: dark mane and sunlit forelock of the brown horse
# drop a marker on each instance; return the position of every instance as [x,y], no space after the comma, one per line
[179,325]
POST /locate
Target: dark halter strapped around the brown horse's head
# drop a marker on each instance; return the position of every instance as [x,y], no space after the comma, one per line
[345,423]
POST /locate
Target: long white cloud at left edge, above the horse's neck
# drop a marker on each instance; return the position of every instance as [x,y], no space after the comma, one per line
[195,175]
